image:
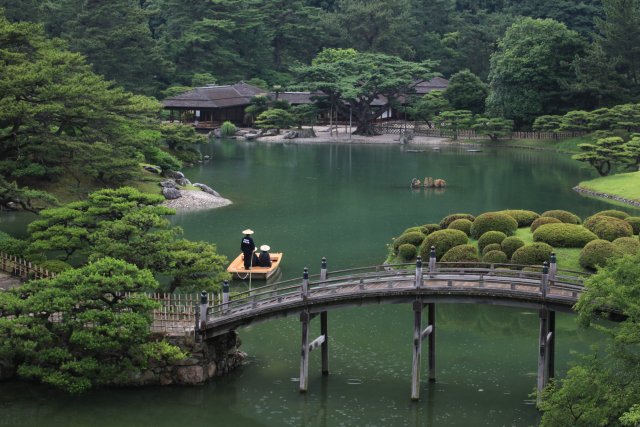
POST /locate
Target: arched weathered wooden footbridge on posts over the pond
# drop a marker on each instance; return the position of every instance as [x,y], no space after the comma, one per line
[545,288]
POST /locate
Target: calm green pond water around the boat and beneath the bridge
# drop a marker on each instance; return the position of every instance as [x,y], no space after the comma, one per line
[346,202]
